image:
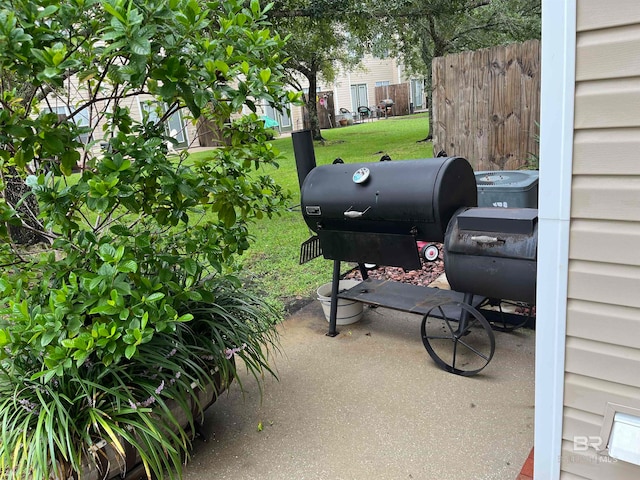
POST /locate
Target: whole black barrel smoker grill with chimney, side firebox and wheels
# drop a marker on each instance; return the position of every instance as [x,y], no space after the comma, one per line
[375,212]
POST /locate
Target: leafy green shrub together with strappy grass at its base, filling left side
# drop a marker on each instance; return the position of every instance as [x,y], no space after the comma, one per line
[120,309]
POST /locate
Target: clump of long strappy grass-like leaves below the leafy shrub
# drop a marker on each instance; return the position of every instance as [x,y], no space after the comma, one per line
[58,425]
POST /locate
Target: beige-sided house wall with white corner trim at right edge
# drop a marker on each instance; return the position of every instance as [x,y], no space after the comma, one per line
[588,311]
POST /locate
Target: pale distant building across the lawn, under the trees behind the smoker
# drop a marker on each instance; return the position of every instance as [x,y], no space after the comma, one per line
[357,88]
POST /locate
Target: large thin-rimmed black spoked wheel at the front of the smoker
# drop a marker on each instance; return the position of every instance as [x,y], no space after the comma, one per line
[458,338]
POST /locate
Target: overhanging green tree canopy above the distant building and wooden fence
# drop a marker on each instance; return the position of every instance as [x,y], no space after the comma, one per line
[328,34]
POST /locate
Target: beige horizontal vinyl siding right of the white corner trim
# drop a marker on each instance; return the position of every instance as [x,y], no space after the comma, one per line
[602,363]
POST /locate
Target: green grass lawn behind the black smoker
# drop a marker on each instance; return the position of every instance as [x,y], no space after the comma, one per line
[271,265]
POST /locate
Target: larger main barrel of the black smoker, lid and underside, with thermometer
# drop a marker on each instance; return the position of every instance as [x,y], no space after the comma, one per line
[375,212]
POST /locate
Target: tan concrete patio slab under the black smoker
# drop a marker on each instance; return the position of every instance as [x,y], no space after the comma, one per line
[371,404]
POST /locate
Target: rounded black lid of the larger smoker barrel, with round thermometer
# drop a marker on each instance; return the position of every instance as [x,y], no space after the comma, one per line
[409,197]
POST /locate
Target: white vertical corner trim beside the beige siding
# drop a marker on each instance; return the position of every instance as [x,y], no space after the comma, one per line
[556,152]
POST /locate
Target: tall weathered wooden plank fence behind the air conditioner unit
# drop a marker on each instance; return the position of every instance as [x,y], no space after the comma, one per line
[486,105]
